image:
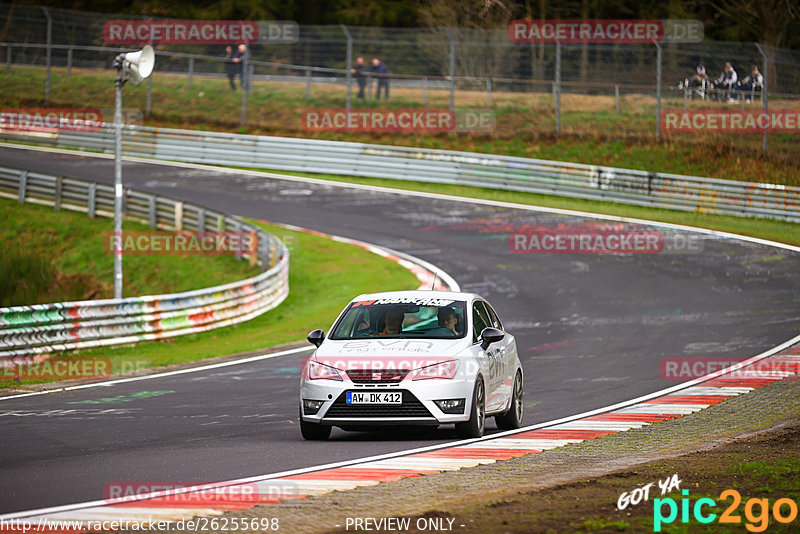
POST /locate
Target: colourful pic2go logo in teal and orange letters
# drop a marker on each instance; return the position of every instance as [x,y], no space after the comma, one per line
[756,511]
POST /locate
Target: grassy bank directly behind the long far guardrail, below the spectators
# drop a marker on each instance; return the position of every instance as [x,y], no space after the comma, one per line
[592,132]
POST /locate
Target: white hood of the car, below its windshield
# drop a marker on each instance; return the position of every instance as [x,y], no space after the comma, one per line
[388,353]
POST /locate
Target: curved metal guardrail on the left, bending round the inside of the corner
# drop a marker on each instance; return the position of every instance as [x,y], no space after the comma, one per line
[27,331]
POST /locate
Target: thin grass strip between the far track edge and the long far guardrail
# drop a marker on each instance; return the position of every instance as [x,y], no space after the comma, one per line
[783,232]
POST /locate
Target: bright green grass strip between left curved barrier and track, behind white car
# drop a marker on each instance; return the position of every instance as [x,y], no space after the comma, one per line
[321,282]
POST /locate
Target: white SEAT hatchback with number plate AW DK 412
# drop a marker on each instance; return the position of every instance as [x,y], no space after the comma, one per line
[412,358]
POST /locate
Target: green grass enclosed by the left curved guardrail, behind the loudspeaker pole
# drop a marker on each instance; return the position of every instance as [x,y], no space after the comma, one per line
[60,255]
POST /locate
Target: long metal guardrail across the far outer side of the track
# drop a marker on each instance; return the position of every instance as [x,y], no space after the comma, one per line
[592,182]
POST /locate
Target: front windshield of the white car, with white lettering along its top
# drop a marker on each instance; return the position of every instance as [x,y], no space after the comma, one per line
[402,318]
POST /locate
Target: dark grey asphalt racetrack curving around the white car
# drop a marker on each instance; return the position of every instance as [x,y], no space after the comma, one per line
[591,329]
